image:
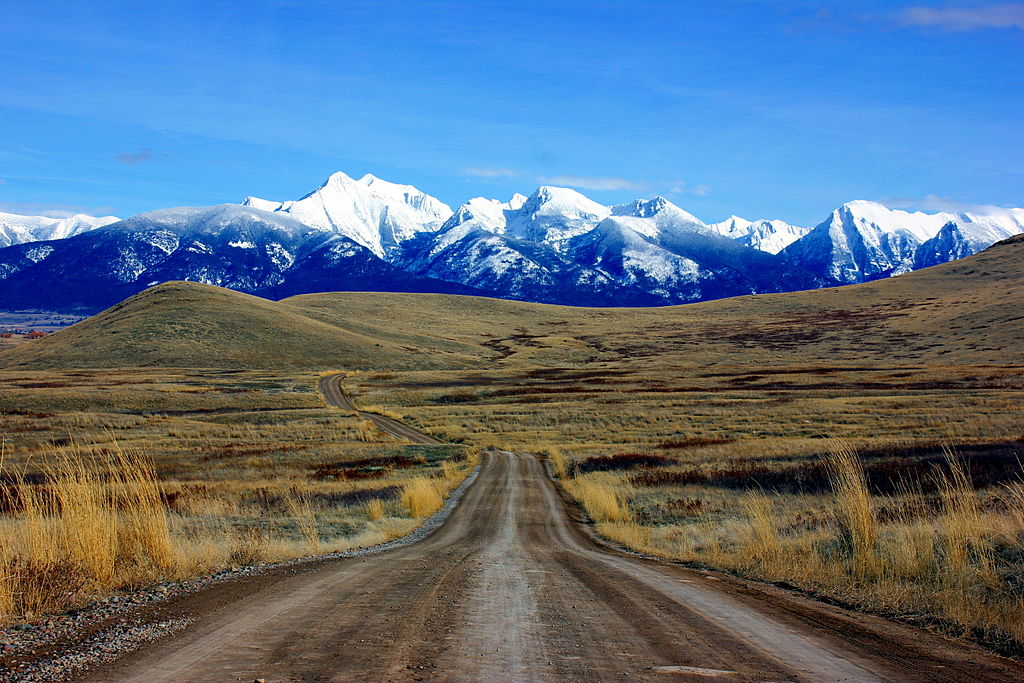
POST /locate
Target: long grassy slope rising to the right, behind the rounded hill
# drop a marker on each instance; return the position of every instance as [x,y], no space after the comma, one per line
[965,312]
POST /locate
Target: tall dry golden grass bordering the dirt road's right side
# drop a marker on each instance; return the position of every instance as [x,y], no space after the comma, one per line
[953,556]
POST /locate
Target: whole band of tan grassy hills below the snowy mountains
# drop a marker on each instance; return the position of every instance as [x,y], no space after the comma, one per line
[965,312]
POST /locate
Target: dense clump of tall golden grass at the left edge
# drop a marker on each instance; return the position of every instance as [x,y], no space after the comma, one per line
[94,526]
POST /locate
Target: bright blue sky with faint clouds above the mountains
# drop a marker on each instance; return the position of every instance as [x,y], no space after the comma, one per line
[782,109]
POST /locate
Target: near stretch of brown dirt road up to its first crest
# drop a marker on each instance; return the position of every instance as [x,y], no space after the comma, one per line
[514,588]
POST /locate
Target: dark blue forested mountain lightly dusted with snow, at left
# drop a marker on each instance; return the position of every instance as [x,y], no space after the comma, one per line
[239,247]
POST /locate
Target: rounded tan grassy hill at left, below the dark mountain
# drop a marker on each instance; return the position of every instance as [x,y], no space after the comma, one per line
[188,325]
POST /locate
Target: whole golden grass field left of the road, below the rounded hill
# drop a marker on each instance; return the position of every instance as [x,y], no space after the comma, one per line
[113,481]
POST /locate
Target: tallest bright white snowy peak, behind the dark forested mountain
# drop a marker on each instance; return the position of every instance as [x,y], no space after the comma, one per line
[375,214]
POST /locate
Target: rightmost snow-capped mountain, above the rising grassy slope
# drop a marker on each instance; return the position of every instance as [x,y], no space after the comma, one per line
[864,241]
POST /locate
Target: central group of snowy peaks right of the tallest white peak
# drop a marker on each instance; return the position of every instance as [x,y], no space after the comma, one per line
[558,246]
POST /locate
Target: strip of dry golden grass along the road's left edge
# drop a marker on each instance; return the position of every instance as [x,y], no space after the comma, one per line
[96,521]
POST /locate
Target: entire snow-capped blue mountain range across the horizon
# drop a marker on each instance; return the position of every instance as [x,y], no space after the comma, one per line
[556,246]
